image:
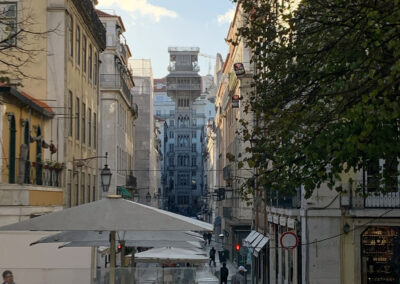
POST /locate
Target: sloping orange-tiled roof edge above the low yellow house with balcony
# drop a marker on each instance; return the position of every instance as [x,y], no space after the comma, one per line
[27,99]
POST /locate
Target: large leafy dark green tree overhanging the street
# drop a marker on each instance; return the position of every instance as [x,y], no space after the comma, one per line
[326,90]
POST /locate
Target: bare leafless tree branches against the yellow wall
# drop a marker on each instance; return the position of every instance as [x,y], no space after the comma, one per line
[19,33]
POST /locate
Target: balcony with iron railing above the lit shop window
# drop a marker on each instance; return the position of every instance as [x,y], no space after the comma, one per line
[363,195]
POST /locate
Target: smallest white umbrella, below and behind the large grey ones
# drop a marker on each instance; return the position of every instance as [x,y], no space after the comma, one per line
[171,255]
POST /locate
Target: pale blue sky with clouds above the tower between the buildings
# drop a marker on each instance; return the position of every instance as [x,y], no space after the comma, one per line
[154,25]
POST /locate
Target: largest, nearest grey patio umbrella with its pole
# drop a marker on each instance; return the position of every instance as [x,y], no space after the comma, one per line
[110,214]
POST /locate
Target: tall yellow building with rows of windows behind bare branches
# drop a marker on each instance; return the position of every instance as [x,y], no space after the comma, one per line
[63,45]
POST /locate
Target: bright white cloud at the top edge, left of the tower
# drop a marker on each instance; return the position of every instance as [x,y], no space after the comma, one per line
[141,6]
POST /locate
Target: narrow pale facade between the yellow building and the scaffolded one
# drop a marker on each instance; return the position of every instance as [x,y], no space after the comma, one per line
[117,107]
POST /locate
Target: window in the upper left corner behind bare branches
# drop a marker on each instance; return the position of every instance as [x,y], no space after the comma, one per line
[8,23]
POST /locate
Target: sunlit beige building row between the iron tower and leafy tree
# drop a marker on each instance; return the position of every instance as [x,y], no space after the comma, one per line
[234,216]
